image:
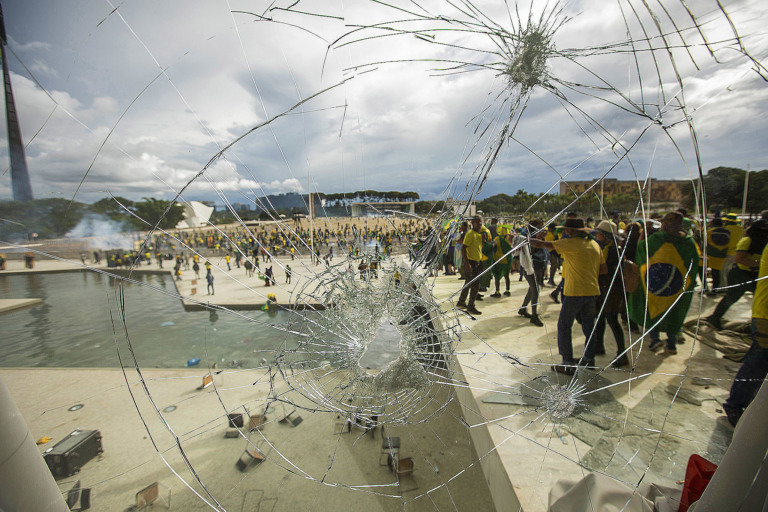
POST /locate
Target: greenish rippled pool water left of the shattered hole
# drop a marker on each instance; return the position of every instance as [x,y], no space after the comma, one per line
[78,325]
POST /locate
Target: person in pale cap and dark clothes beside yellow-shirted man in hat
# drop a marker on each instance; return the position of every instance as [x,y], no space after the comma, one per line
[611,301]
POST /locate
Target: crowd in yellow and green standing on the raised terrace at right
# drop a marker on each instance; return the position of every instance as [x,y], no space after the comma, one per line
[643,274]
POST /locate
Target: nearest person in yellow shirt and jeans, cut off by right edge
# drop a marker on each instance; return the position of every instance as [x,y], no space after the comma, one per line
[754,368]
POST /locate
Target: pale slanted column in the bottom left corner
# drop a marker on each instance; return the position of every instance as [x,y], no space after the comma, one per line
[26,482]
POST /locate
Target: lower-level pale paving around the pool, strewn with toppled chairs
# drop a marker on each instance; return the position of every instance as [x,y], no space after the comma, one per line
[309,467]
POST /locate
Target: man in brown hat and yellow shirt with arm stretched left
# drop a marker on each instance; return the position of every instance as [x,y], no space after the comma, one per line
[583,262]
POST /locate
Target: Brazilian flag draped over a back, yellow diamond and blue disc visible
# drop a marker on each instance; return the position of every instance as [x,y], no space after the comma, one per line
[667,271]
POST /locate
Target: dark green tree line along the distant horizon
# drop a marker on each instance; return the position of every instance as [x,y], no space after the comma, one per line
[53,218]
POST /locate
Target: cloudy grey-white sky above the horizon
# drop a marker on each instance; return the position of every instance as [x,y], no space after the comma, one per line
[137,98]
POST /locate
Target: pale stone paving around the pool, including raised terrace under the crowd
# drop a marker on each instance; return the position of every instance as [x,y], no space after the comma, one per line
[633,429]
